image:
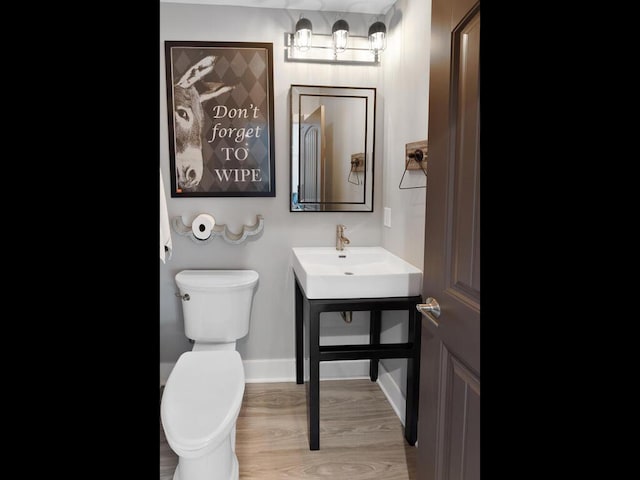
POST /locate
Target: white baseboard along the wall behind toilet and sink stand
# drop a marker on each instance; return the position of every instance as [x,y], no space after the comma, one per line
[284,370]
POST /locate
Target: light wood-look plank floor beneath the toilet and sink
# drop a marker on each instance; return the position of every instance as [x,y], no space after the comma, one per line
[361,437]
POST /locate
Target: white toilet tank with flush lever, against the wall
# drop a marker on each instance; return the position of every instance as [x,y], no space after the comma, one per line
[216,304]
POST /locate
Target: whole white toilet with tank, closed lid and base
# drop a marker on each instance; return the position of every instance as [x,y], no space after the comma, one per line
[203,394]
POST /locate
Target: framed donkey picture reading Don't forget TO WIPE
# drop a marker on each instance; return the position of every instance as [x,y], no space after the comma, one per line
[220,112]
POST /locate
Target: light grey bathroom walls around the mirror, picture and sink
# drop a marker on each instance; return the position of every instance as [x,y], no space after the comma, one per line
[402,87]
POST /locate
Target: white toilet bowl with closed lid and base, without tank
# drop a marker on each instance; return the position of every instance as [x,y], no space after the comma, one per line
[200,405]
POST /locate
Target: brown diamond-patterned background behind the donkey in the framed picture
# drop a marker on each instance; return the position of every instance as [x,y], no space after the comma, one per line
[246,69]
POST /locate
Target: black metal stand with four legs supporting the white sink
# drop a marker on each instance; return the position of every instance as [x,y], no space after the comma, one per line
[311,309]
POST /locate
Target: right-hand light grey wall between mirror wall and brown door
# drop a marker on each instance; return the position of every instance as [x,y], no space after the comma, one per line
[406,86]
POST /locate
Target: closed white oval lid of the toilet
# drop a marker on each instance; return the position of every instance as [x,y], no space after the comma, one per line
[202,397]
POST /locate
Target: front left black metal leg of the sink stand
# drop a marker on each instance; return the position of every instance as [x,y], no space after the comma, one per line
[313,401]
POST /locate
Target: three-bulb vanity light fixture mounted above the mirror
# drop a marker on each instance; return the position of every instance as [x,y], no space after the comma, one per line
[340,47]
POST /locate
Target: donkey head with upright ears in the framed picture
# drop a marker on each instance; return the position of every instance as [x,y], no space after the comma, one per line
[189,93]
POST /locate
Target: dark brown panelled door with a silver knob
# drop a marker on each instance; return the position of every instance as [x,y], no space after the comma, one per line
[449,415]
